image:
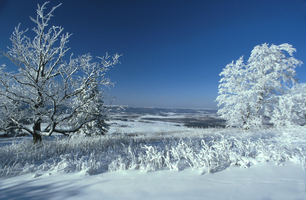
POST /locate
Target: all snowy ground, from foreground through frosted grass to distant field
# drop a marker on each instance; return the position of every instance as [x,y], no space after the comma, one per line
[144,158]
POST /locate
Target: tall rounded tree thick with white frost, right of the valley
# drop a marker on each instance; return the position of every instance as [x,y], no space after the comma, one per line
[249,92]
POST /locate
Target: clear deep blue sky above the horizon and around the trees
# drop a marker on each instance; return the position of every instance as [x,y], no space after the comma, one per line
[173,50]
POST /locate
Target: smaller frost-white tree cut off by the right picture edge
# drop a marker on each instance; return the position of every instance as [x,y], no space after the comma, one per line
[291,108]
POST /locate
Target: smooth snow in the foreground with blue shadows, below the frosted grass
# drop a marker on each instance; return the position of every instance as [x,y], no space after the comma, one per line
[265,181]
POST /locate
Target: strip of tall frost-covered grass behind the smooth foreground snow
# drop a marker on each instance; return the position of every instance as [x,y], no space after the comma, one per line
[206,150]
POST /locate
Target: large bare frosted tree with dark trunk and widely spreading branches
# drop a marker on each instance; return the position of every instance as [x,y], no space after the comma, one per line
[49,94]
